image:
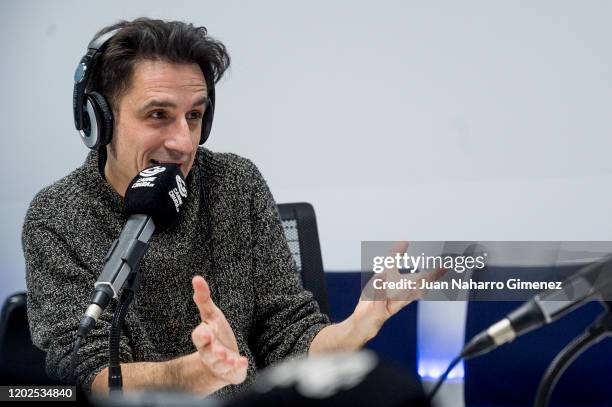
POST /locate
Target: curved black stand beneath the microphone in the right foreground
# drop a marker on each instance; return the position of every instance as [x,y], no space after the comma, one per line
[599,329]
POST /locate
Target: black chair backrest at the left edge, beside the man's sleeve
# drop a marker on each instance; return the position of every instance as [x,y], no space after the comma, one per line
[20,361]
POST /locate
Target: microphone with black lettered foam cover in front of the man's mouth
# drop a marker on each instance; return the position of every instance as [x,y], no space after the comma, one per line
[153,201]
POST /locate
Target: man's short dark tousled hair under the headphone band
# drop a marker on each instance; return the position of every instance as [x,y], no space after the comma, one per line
[147,39]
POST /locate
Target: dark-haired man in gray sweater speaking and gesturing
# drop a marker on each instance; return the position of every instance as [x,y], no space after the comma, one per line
[218,297]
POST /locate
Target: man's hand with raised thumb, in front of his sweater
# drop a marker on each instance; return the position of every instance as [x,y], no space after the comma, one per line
[215,341]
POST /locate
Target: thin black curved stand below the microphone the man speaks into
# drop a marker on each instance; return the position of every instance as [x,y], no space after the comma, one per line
[132,284]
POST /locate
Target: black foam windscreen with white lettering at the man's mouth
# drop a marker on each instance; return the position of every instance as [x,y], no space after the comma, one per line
[158,191]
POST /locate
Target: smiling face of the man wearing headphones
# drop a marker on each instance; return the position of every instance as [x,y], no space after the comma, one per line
[159,120]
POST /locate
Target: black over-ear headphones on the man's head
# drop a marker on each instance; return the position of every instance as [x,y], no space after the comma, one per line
[93,116]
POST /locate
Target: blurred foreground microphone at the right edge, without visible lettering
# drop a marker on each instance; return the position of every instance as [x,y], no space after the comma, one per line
[591,281]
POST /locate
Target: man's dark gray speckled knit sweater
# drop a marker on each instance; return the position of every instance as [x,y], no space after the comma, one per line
[229,232]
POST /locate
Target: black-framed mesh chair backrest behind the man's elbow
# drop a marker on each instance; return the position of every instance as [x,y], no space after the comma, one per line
[300,225]
